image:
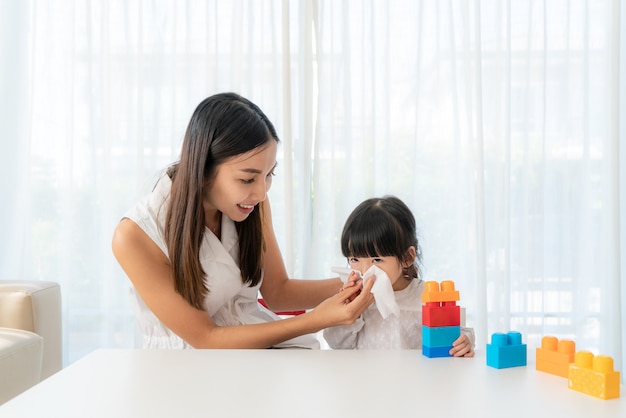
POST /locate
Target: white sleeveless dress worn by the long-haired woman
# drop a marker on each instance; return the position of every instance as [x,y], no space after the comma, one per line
[229,301]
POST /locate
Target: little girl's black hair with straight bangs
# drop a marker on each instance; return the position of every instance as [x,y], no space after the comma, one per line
[382,227]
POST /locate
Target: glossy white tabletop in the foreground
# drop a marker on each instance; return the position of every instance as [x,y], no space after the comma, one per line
[300,383]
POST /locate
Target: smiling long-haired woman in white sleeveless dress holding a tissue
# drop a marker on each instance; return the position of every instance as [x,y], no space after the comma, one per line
[200,247]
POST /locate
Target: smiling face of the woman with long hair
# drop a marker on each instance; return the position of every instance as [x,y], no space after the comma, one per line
[241,182]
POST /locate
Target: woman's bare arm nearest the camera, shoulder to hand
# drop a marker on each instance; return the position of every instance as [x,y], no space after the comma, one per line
[149,271]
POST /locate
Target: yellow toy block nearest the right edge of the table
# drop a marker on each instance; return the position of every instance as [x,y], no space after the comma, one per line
[594,375]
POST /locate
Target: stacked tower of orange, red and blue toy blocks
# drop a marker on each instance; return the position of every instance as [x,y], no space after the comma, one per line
[441,318]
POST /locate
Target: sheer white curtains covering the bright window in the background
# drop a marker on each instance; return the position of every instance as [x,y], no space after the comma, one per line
[499,123]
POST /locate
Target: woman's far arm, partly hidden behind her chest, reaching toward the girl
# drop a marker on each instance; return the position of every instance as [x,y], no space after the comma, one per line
[279,291]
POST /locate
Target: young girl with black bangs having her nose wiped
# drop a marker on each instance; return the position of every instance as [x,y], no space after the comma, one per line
[381,232]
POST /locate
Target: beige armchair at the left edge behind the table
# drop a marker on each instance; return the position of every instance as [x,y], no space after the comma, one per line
[30,334]
